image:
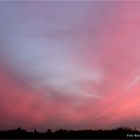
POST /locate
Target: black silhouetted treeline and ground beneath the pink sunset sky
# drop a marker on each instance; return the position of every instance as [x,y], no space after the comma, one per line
[119,133]
